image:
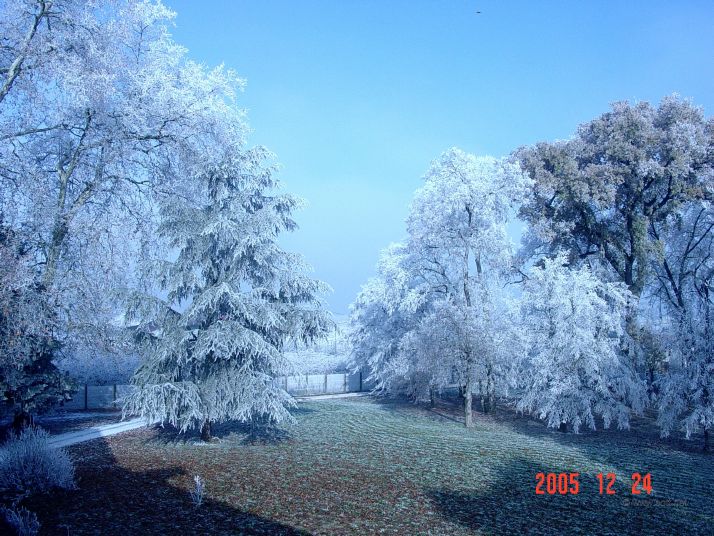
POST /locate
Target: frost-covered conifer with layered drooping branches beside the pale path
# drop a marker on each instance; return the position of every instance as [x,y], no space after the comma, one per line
[242,296]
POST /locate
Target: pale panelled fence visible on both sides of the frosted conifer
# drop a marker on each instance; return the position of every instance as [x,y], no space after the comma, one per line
[111,396]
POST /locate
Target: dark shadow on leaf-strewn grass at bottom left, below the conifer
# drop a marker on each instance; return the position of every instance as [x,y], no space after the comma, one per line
[145,498]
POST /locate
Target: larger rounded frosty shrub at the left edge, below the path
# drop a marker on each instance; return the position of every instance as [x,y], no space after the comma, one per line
[29,465]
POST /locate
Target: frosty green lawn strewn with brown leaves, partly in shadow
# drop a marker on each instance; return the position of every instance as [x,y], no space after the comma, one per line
[358,466]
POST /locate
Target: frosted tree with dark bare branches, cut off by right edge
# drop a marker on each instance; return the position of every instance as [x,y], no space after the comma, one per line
[683,295]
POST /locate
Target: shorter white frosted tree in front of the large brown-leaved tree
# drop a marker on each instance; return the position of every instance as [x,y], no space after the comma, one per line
[576,370]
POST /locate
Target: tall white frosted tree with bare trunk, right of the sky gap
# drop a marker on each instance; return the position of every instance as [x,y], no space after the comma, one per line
[444,284]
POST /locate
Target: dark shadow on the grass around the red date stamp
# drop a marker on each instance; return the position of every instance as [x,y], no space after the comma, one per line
[510,506]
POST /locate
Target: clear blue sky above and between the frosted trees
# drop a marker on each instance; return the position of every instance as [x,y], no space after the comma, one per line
[356,97]
